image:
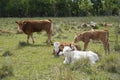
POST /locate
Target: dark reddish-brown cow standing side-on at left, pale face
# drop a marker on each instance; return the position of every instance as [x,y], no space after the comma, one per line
[30,26]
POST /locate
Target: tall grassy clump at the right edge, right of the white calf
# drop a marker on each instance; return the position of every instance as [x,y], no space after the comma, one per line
[111,63]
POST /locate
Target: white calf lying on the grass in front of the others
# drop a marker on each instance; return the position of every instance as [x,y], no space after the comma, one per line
[72,55]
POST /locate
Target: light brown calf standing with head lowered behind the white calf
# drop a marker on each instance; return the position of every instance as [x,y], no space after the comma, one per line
[101,35]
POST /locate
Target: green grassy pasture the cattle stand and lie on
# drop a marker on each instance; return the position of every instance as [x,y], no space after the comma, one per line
[22,61]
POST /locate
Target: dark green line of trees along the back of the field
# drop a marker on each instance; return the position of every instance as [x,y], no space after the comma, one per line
[58,8]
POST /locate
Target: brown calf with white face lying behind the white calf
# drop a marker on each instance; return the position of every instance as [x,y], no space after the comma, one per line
[59,46]
